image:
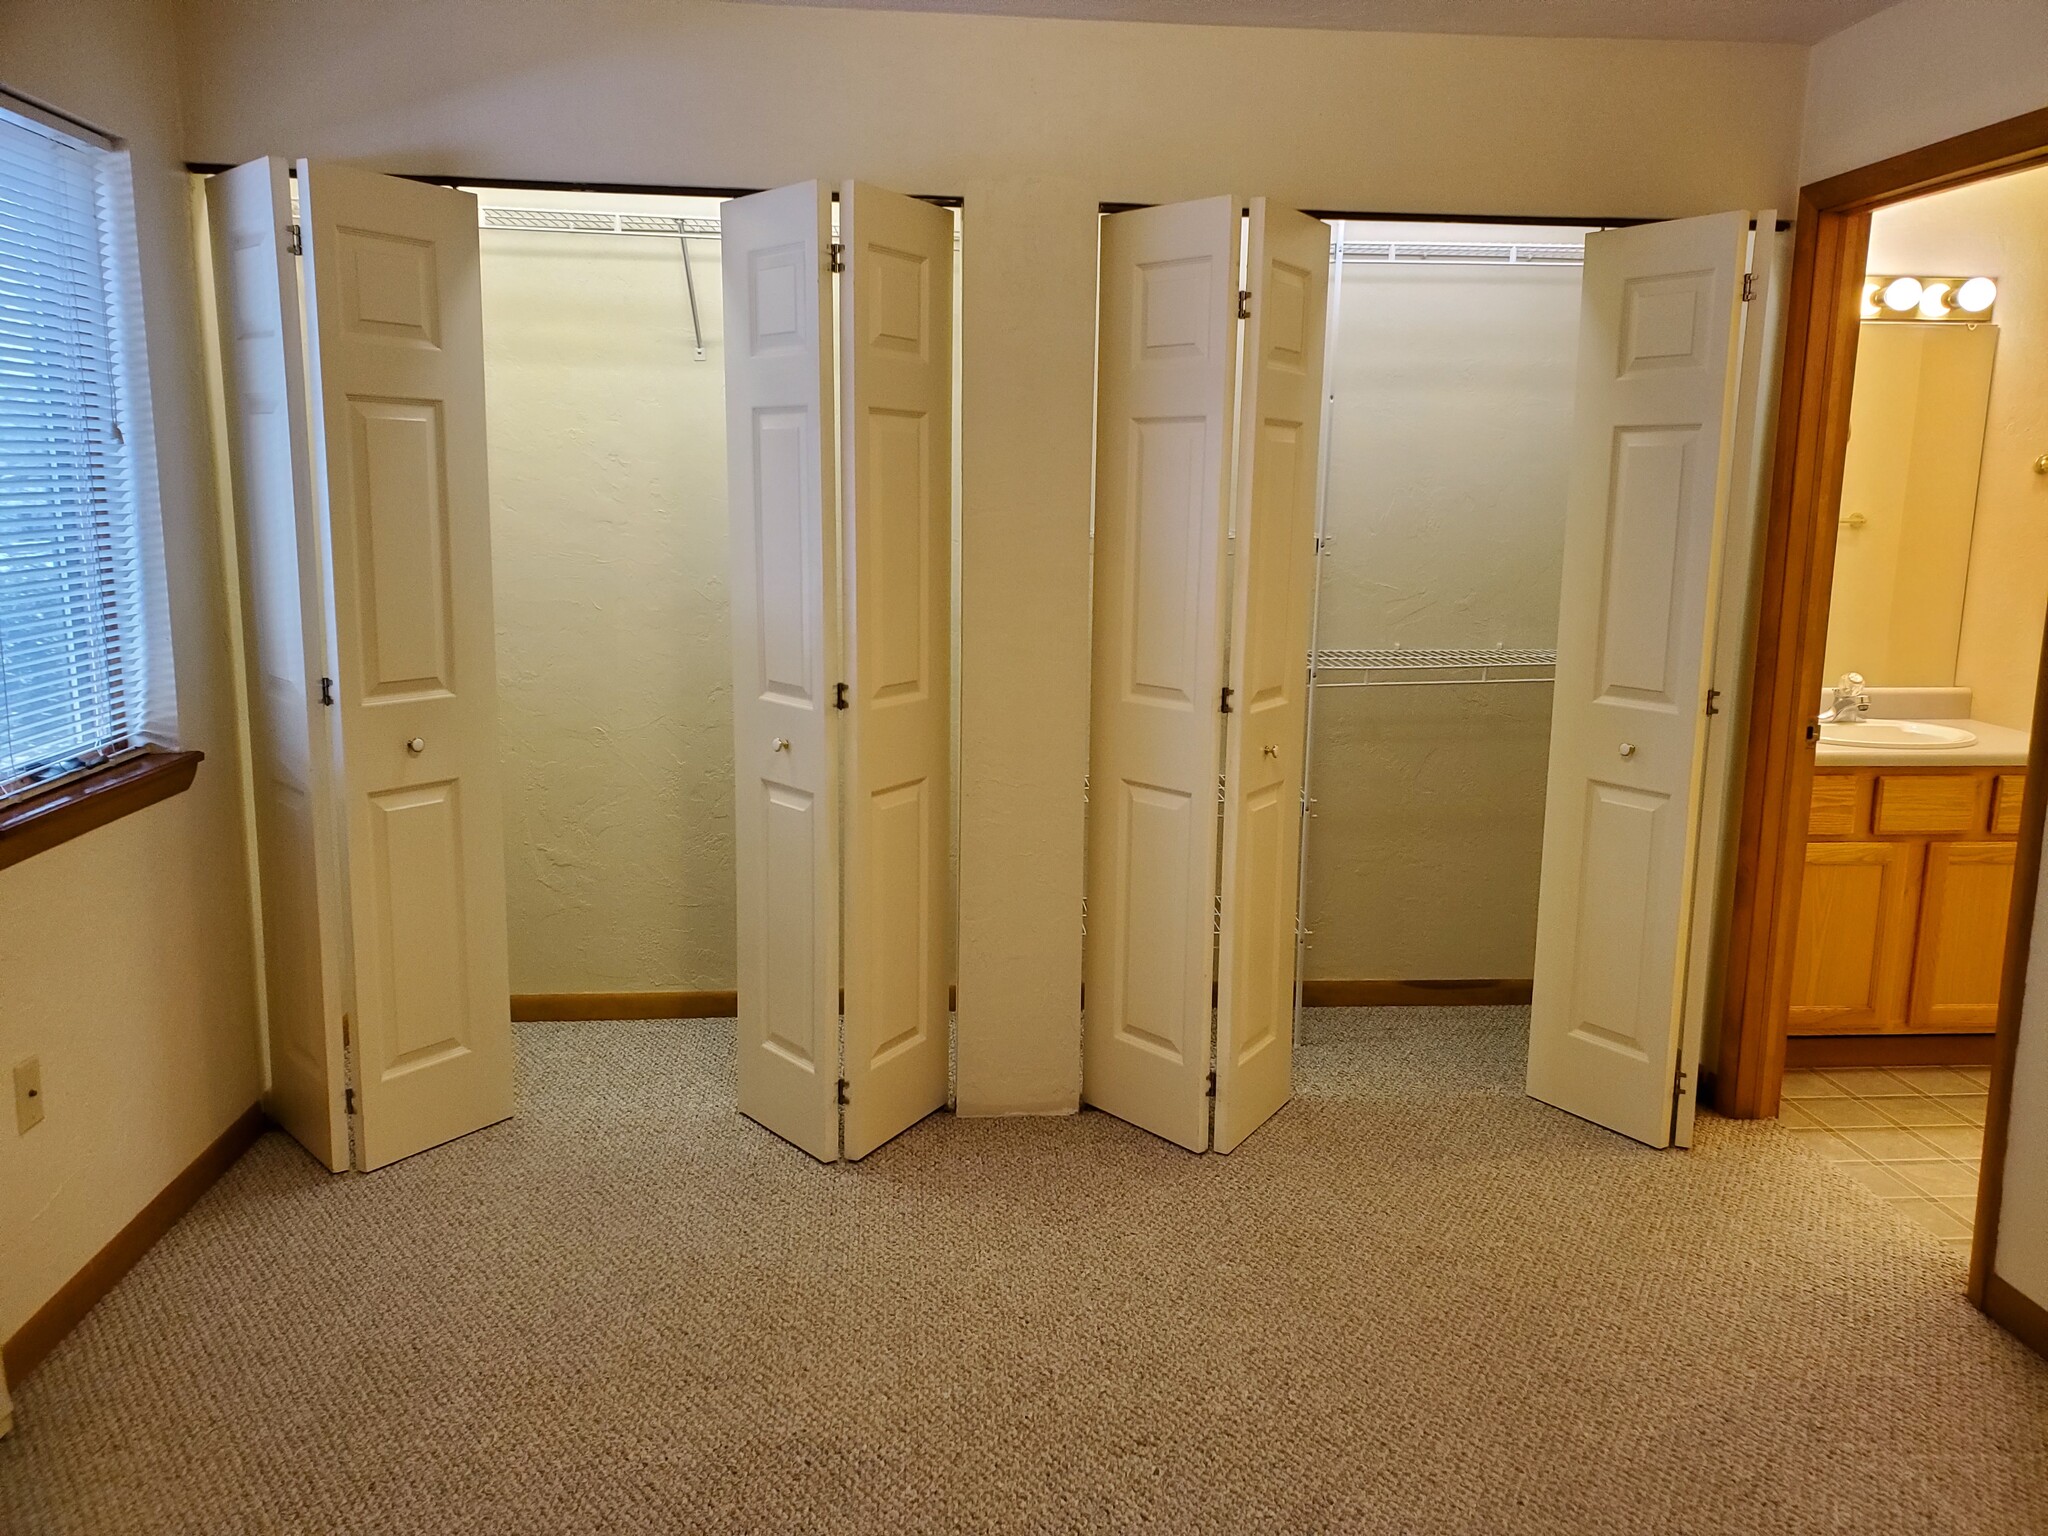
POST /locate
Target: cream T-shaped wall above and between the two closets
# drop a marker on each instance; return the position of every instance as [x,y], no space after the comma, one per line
[687,93]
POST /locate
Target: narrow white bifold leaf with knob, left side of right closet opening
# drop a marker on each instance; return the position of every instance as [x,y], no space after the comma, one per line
[1273,587]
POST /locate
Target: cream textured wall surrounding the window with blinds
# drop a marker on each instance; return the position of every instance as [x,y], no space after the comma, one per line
[126,955]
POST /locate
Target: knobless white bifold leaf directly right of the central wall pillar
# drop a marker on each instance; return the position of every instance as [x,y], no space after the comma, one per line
[1166,374]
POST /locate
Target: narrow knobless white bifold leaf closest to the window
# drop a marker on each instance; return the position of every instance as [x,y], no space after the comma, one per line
[286,632]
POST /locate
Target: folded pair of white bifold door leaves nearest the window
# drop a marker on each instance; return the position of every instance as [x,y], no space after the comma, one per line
[366,529]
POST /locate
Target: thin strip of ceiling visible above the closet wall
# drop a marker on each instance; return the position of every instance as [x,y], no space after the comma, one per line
[1758,22]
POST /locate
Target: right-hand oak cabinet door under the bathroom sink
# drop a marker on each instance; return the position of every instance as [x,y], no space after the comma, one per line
[1961,953]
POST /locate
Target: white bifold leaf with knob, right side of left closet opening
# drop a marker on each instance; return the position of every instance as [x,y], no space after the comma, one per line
[785,660]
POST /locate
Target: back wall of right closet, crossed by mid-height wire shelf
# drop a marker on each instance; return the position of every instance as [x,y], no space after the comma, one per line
[1447,521]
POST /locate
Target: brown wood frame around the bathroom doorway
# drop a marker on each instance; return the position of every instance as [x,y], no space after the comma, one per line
[1832,239]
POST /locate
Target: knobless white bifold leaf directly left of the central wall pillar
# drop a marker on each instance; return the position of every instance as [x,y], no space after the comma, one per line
[896,368]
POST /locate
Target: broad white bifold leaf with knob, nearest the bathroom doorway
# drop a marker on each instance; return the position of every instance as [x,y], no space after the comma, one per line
[1650,497]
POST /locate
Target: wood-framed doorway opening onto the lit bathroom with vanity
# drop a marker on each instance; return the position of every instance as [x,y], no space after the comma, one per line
[1879,902]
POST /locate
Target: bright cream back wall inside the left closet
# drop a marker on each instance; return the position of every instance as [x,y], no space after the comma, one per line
[613,646]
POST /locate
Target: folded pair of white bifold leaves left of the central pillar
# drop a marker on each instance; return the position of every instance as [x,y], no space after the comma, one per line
[841,620]
